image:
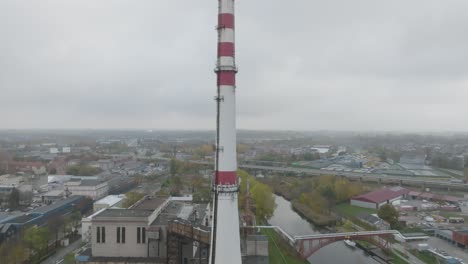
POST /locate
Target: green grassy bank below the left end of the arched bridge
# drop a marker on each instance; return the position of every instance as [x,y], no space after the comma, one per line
[280,252]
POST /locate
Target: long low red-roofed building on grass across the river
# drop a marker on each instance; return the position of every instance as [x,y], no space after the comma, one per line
[380,197]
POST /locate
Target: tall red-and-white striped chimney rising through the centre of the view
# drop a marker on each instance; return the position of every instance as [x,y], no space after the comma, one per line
[225,243]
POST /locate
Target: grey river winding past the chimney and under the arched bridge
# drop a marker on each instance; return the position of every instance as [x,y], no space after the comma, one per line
[291,222]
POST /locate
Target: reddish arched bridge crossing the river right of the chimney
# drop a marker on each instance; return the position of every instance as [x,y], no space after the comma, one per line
[309,244]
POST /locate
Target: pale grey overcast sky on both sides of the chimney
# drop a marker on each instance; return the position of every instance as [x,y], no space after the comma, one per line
[303,64]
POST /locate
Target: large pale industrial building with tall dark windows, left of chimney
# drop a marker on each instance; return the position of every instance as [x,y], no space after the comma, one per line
[155,229]
